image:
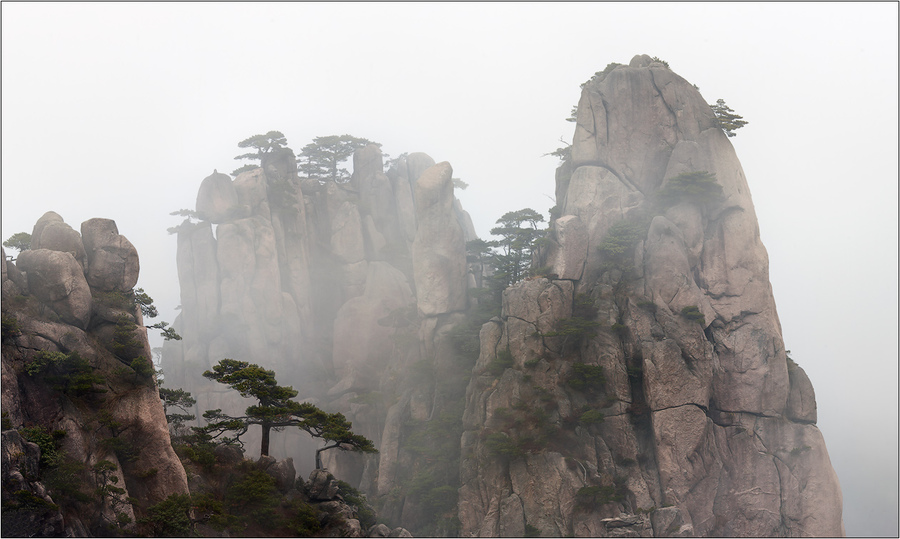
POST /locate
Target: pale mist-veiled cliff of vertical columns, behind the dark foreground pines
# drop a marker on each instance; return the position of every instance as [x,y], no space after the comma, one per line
[347,291]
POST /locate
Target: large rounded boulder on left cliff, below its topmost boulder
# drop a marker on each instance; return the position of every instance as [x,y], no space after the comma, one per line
[56,279]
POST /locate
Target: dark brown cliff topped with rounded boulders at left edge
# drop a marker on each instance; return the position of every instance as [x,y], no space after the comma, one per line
[78,379]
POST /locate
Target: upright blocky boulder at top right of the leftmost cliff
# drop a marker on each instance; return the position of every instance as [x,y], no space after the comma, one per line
[112,260]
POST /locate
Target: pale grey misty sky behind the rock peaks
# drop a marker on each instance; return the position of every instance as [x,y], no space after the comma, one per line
[120,110]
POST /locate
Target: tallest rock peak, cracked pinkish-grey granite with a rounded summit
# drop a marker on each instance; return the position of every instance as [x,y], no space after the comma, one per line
[648,391]
